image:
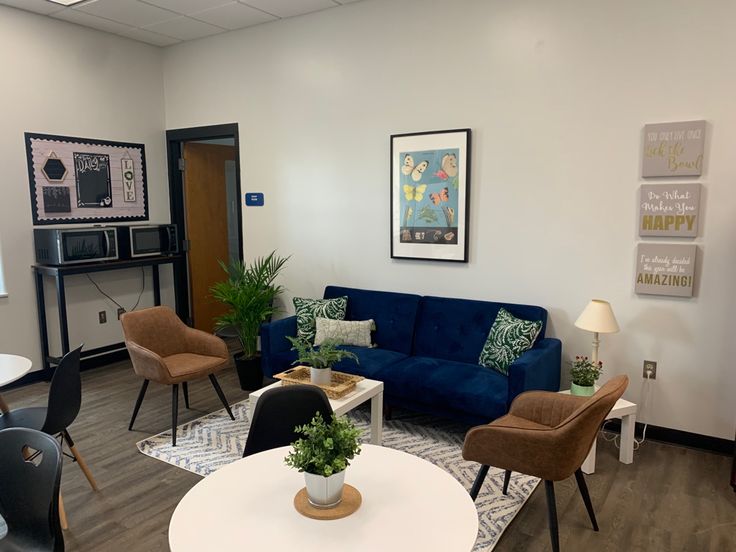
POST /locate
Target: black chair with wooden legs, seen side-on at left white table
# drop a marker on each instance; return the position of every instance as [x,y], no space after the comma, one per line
[65,399]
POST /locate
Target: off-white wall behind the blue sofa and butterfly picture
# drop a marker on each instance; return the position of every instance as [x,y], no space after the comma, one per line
[556,94]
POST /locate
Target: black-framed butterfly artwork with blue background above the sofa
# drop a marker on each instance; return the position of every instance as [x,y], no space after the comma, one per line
[430,195]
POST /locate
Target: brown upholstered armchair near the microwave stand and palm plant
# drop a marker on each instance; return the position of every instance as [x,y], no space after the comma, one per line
[165,350]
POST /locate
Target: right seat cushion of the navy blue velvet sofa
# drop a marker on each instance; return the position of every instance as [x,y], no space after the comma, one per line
[460,386]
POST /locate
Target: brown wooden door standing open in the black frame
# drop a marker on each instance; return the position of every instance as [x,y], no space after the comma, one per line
[205,200]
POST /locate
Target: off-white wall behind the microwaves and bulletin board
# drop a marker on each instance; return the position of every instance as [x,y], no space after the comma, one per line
[59,78]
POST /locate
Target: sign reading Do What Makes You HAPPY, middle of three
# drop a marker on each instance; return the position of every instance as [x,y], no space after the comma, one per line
[669,210]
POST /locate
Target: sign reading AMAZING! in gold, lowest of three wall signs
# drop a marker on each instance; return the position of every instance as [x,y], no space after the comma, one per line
[665,269]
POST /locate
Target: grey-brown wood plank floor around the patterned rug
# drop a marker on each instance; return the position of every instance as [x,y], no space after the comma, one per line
[670,498]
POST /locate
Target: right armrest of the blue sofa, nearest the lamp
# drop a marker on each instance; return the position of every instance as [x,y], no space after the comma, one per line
[538,368]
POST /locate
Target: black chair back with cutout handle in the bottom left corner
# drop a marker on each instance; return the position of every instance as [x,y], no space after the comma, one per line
[30,474]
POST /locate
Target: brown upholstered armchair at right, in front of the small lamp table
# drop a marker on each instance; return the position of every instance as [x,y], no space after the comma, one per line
[547,435]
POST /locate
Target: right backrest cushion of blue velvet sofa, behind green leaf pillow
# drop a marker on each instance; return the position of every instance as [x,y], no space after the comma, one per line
[456,329]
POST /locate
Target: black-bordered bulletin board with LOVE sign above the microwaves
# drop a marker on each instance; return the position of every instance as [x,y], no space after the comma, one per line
[94,180]
